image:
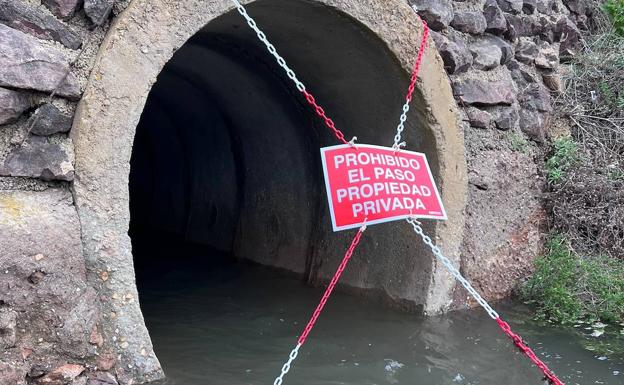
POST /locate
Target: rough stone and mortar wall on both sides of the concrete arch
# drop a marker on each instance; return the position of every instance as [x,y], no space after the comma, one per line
[502,59]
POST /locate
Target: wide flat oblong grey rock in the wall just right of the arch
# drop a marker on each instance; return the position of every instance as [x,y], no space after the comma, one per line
[480,92]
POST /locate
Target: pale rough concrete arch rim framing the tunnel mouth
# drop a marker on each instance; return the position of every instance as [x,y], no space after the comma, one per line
[136,48]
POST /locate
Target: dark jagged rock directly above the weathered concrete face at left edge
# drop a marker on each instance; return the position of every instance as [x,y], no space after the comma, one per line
[36,158]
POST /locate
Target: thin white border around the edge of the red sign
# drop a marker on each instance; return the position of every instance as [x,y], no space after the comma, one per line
[384,220]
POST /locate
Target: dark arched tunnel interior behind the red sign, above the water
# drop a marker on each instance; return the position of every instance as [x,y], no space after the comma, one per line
[226,168]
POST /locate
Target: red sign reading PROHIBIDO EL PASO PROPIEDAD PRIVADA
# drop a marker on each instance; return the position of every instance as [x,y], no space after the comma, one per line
[378,184]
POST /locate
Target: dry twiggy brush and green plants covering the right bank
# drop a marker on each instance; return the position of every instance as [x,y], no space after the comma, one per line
[580,279]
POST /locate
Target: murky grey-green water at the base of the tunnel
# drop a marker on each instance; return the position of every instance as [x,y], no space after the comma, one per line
[236,325]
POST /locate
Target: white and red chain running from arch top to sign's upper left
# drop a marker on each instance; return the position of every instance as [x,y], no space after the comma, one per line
[290,73]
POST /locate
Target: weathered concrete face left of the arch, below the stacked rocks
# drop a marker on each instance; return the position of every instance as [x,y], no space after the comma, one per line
[43,284]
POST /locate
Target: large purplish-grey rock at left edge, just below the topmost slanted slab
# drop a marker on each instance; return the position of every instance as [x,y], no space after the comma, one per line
[26,63]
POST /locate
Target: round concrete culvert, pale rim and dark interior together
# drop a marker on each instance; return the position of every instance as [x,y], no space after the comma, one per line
[225,159]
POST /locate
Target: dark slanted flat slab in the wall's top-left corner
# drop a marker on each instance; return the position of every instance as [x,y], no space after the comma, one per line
[30,20]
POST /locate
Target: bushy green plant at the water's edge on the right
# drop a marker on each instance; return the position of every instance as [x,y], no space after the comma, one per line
[567,288]
